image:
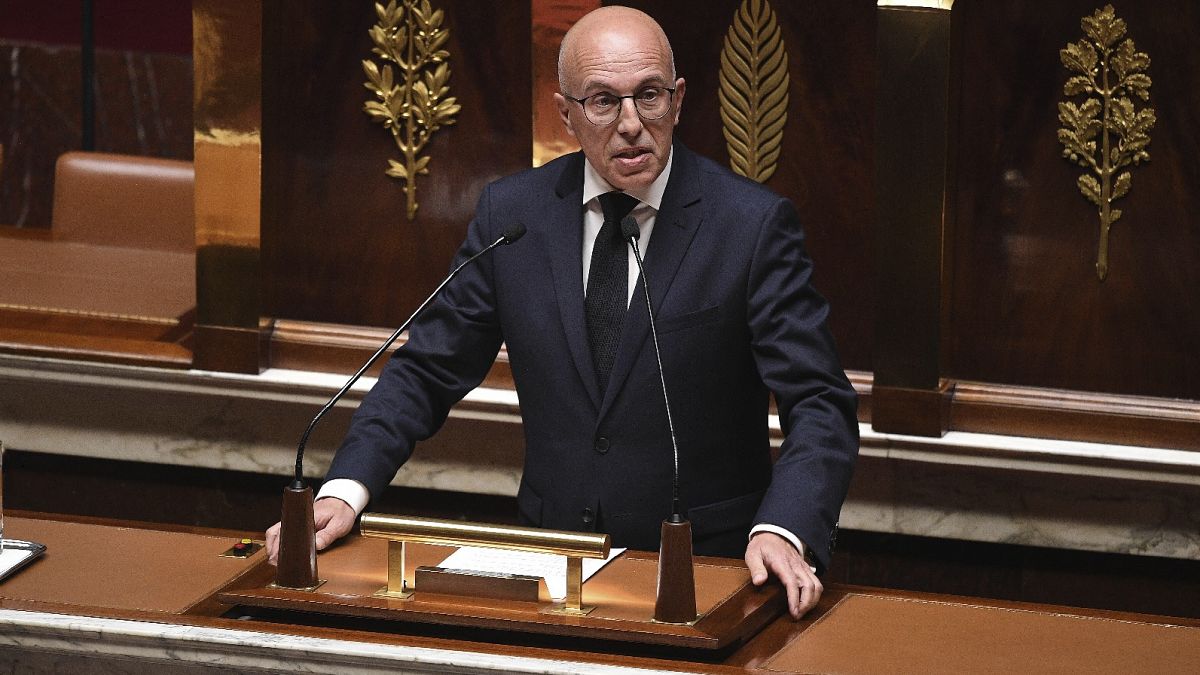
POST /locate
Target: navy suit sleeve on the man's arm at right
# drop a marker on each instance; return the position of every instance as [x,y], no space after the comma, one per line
[797,361]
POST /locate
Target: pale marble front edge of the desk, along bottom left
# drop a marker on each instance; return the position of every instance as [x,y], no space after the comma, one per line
[83,644]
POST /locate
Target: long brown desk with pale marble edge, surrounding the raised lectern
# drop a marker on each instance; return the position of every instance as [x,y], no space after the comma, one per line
[153,598]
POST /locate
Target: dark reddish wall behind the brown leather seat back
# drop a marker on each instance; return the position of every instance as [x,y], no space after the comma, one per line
[143,91]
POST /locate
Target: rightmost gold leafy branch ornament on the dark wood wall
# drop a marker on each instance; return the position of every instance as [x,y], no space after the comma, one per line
[1106,134]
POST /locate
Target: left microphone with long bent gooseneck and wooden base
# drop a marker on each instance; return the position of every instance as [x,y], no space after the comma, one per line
[298,543]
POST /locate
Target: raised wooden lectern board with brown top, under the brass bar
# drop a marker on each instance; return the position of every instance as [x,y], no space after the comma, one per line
[731,610]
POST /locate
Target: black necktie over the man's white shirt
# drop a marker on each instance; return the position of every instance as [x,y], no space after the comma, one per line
[608,285]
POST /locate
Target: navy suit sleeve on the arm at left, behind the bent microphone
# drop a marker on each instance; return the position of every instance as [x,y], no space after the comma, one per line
[449,351]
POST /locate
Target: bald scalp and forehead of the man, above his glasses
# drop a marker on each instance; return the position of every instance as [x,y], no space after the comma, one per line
[602,28]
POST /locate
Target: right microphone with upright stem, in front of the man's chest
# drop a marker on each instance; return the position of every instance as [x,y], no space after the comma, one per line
[676,599]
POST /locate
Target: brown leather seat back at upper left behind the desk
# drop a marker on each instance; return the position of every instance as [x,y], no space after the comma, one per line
[125,201]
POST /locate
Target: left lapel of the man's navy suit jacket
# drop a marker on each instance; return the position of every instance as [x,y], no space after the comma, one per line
[566,244]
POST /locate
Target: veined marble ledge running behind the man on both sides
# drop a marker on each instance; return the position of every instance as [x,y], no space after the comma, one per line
[987,488]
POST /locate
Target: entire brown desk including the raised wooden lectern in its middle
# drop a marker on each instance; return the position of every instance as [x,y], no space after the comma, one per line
[110,593]
